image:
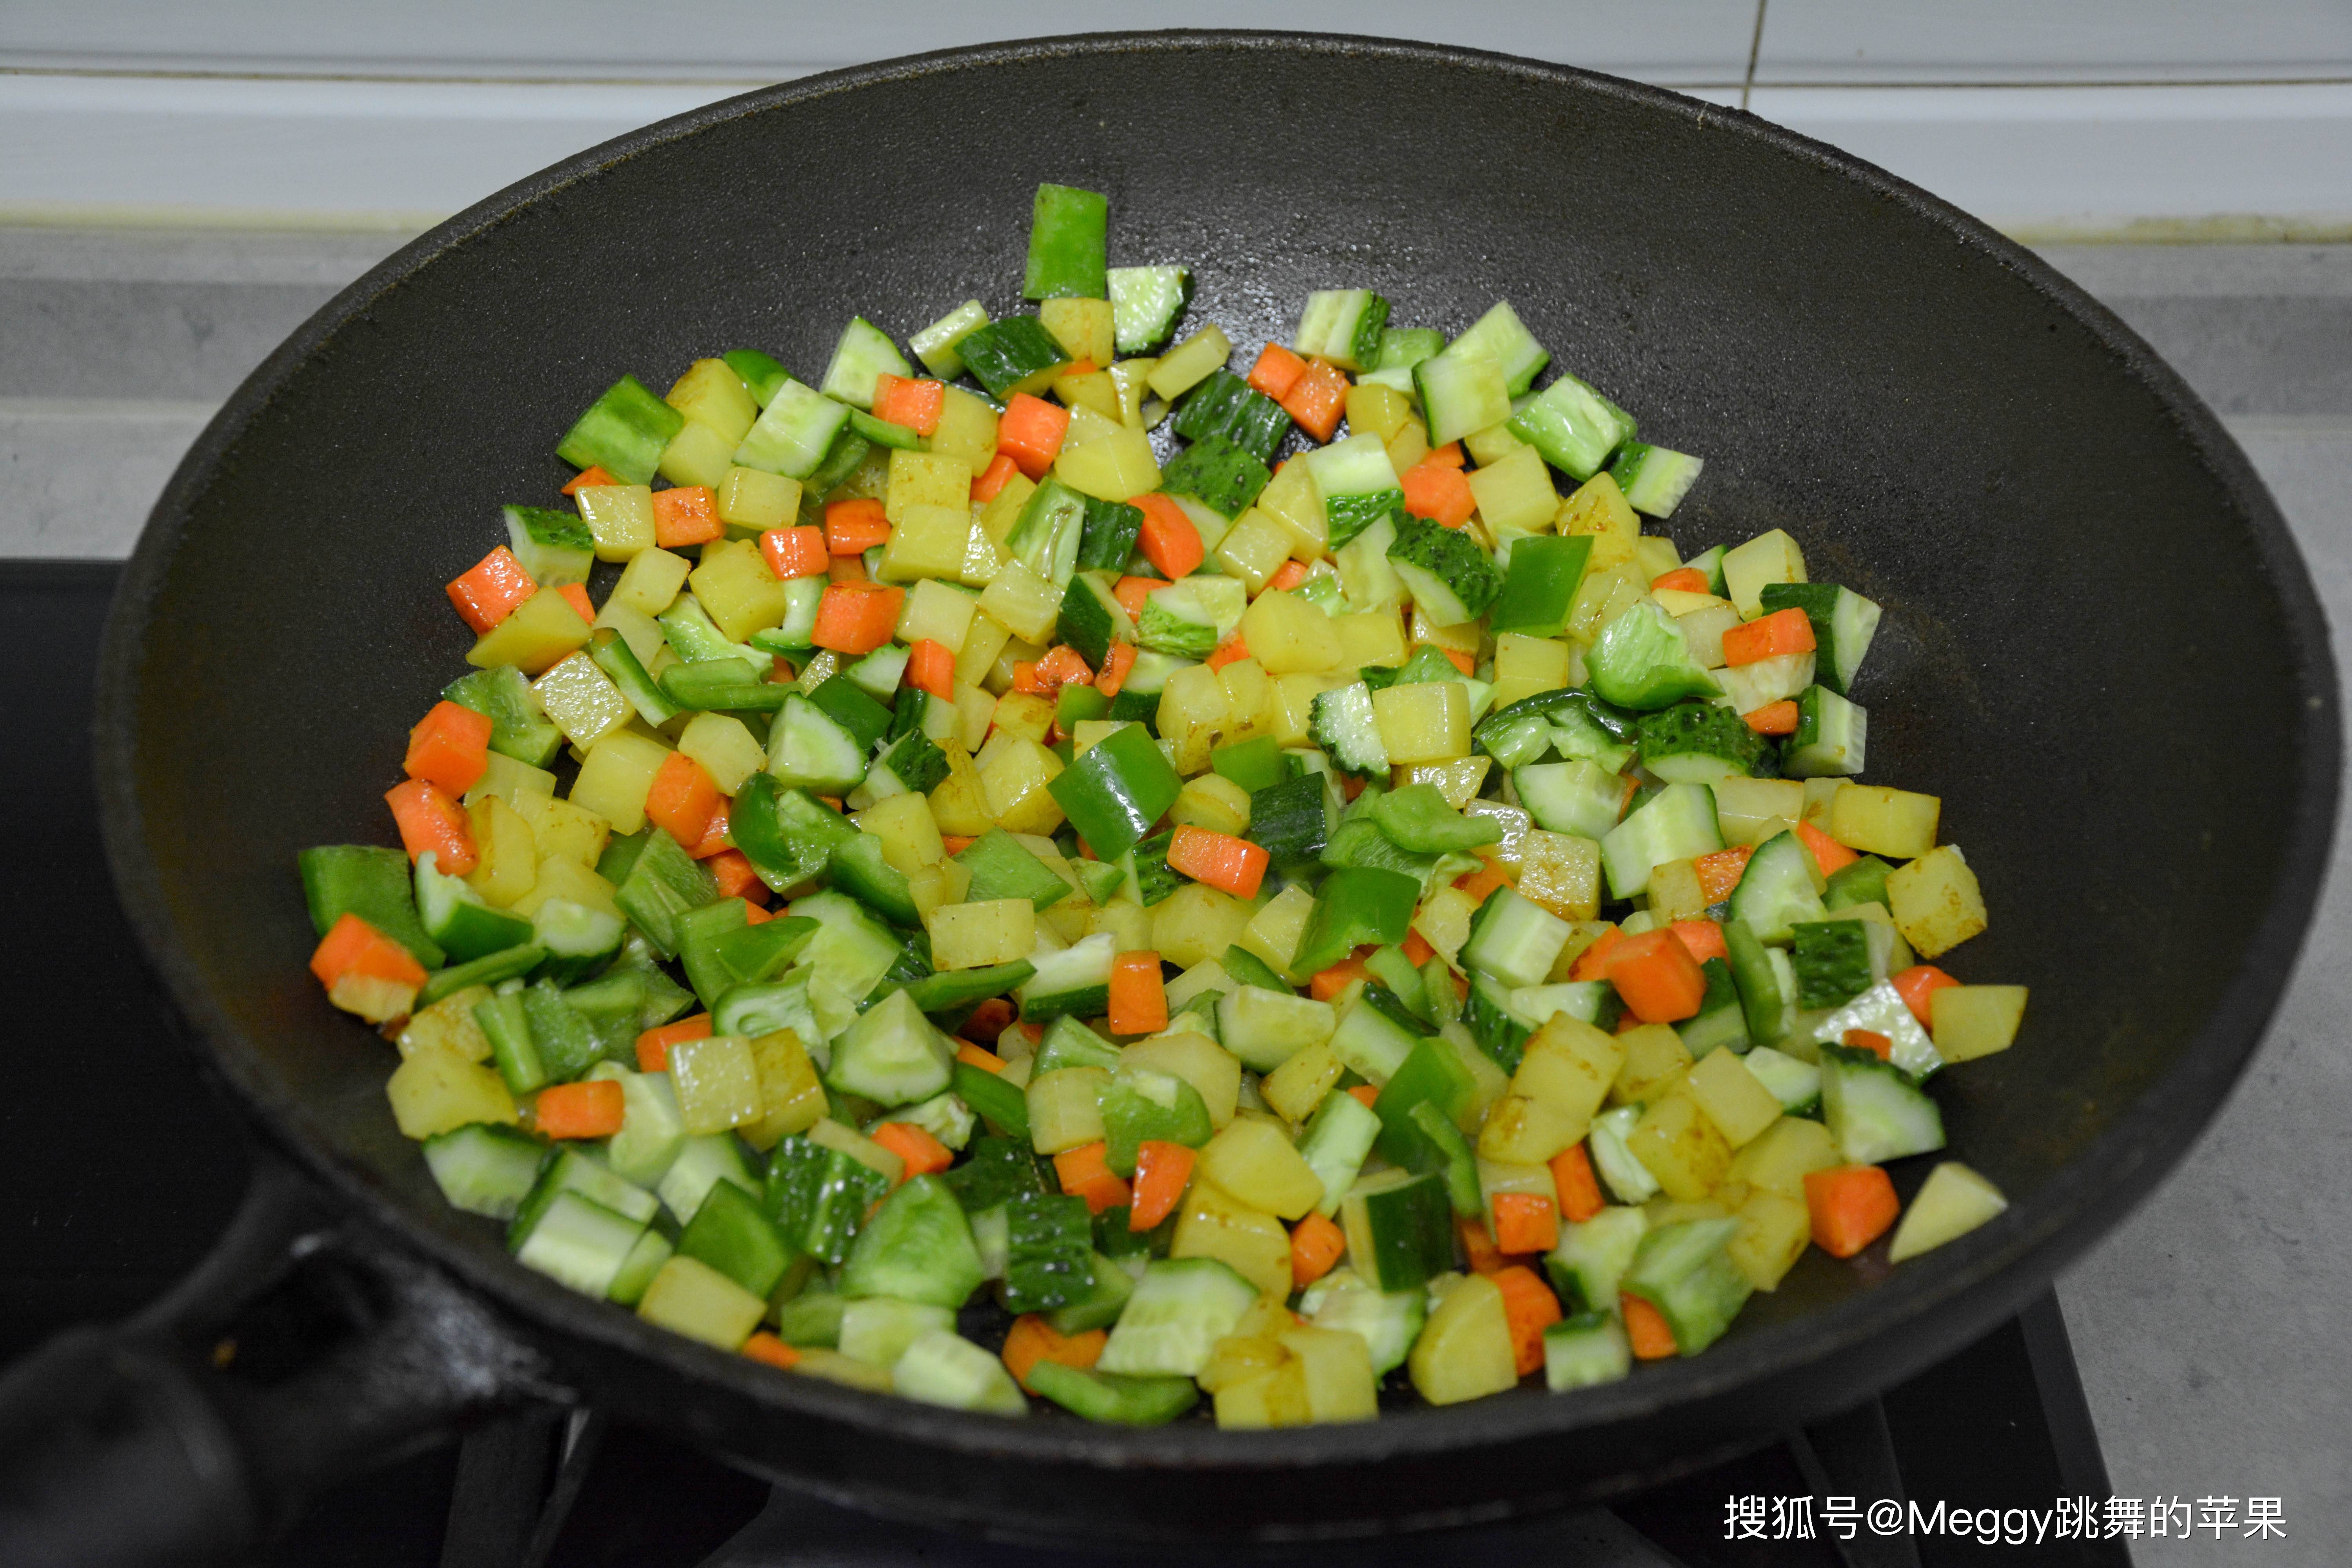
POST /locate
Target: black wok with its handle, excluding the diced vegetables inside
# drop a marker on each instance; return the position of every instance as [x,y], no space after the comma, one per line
[2102,650]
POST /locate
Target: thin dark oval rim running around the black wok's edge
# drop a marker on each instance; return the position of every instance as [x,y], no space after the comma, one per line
[1972,1282]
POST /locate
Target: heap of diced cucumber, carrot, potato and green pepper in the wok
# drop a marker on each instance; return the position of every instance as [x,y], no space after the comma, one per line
[1067,838]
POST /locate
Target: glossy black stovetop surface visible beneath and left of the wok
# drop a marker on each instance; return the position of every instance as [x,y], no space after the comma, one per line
[102,1226]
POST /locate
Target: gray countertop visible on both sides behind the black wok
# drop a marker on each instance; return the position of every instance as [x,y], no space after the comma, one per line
[2207,1327]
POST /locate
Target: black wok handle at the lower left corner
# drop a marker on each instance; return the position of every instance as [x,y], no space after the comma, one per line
[305,1351]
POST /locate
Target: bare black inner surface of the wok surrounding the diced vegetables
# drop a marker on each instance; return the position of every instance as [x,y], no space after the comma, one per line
[2097,643]
